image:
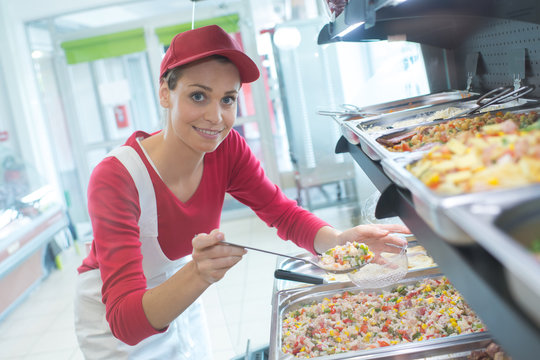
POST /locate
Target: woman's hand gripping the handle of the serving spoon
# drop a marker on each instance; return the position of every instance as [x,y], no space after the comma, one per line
[212,259]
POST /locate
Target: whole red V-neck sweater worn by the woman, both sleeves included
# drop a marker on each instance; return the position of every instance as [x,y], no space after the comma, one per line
[114,210]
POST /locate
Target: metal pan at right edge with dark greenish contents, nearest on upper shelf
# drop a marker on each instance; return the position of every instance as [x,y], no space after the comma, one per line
[508,234]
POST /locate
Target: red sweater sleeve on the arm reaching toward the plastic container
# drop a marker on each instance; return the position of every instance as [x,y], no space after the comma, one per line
[251,186]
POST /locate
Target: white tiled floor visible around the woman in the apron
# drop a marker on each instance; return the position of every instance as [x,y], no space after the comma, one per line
[238,307]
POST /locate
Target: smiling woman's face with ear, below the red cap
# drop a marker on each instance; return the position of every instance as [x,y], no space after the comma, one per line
[202,106]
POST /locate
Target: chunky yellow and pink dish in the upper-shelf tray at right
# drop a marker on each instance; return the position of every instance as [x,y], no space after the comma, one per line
[500,155]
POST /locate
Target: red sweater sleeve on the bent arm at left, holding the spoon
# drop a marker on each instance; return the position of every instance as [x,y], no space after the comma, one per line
[113,204]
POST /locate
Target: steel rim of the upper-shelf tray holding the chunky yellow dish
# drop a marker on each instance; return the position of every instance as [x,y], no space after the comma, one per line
[435,209]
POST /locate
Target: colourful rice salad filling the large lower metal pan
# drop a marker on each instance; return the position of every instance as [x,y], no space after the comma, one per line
[429,309]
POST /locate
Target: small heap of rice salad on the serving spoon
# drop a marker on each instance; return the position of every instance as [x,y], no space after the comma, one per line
[344,257]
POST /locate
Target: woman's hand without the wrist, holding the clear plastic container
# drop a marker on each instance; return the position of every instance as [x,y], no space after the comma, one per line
[376,236]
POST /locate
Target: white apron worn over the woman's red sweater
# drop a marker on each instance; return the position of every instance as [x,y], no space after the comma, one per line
[186,338]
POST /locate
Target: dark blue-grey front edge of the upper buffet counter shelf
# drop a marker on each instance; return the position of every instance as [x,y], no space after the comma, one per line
[477,274]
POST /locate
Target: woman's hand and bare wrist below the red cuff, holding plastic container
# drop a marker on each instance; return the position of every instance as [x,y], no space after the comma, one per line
[375,236]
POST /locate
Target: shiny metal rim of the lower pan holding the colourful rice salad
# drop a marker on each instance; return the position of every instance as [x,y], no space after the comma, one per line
[287,300]
